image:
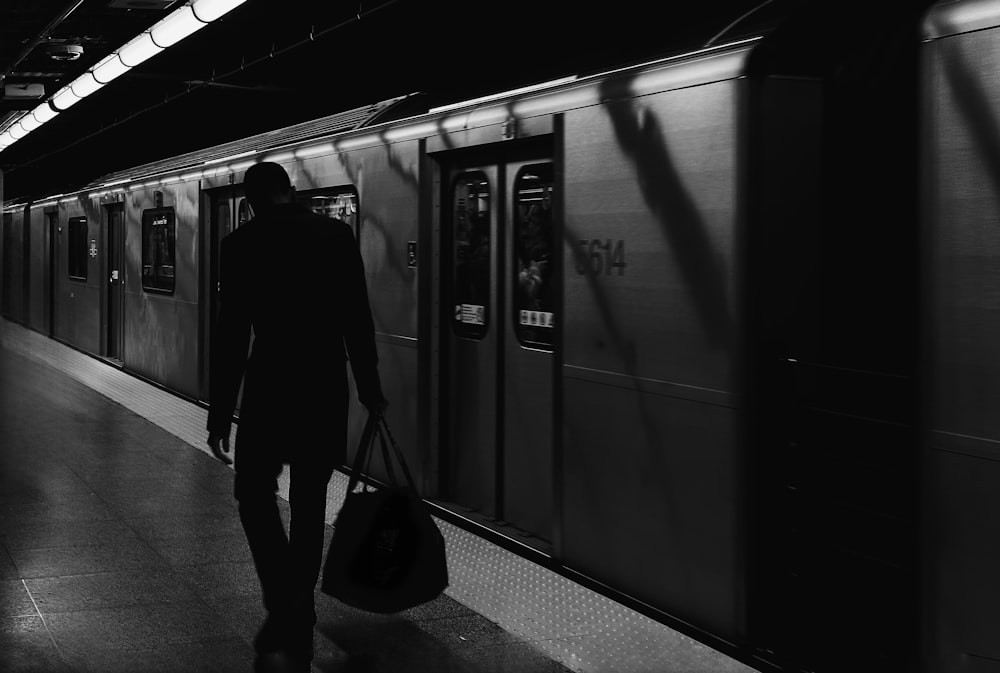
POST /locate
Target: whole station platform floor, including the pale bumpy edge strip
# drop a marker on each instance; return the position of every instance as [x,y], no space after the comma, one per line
[121,551]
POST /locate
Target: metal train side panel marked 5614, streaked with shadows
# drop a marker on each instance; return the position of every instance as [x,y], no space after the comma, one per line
[648,371]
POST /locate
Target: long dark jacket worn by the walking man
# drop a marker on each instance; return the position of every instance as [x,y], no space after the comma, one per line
[297,279]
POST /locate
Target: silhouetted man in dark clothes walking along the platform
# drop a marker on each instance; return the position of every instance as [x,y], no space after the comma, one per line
[297,280]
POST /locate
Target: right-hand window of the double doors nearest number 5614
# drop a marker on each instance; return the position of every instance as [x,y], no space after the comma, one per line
[532,273]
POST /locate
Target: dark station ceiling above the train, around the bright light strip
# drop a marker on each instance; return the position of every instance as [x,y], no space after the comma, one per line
[271,63]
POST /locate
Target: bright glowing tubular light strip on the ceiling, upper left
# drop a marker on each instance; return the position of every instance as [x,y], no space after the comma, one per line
[182,22]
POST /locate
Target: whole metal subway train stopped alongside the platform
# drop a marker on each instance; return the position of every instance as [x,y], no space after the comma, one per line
[716,334]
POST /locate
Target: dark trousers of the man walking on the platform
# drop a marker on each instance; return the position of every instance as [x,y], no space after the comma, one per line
[288,563]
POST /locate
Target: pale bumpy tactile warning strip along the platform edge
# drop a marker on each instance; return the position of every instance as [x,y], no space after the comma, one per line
[579,628]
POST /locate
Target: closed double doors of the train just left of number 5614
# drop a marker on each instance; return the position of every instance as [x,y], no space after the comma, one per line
[498,379]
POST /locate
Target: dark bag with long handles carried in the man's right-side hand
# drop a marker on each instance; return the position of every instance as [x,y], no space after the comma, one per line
[387,554]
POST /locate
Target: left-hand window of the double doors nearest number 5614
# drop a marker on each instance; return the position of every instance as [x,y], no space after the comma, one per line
[471,255]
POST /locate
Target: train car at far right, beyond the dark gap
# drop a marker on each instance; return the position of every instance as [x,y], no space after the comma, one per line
[961,150]
